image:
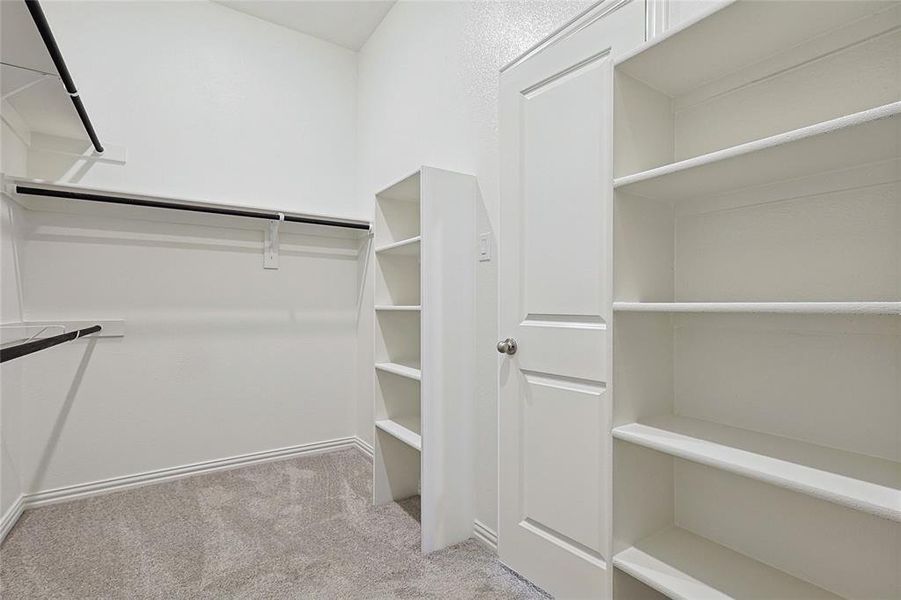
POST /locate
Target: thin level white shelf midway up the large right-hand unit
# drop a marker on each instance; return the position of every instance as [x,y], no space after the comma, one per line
[813,308]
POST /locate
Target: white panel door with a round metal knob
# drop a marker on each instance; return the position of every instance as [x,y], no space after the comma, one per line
[555,302]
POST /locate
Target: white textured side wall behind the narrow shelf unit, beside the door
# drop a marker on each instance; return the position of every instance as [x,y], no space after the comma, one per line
[427,94]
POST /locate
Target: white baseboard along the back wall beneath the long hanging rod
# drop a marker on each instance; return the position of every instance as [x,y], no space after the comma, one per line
[115,484]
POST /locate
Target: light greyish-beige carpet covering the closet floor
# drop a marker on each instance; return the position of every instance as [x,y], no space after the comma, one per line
[298,528]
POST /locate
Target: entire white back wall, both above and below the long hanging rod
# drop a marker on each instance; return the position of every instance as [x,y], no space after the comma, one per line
[220,357]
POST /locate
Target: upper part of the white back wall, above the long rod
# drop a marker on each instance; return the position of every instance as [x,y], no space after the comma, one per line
[211,104]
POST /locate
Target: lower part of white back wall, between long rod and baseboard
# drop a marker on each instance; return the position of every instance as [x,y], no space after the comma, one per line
[220,357]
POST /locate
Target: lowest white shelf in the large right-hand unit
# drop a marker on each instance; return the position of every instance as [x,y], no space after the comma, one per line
[687,567]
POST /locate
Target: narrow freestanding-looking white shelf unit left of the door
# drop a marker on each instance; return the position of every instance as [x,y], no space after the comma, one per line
[424,293]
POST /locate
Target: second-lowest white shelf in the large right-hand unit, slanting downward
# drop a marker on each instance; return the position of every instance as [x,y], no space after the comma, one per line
[856,481]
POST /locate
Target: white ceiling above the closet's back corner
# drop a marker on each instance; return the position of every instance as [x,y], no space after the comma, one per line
[348,23]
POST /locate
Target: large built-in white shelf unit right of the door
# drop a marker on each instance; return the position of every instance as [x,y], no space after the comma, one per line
[757,284]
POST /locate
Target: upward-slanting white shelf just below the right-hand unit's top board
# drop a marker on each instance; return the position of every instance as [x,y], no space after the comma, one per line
[865,137]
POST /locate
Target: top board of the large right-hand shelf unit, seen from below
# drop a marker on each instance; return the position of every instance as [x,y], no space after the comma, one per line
[721,42]
